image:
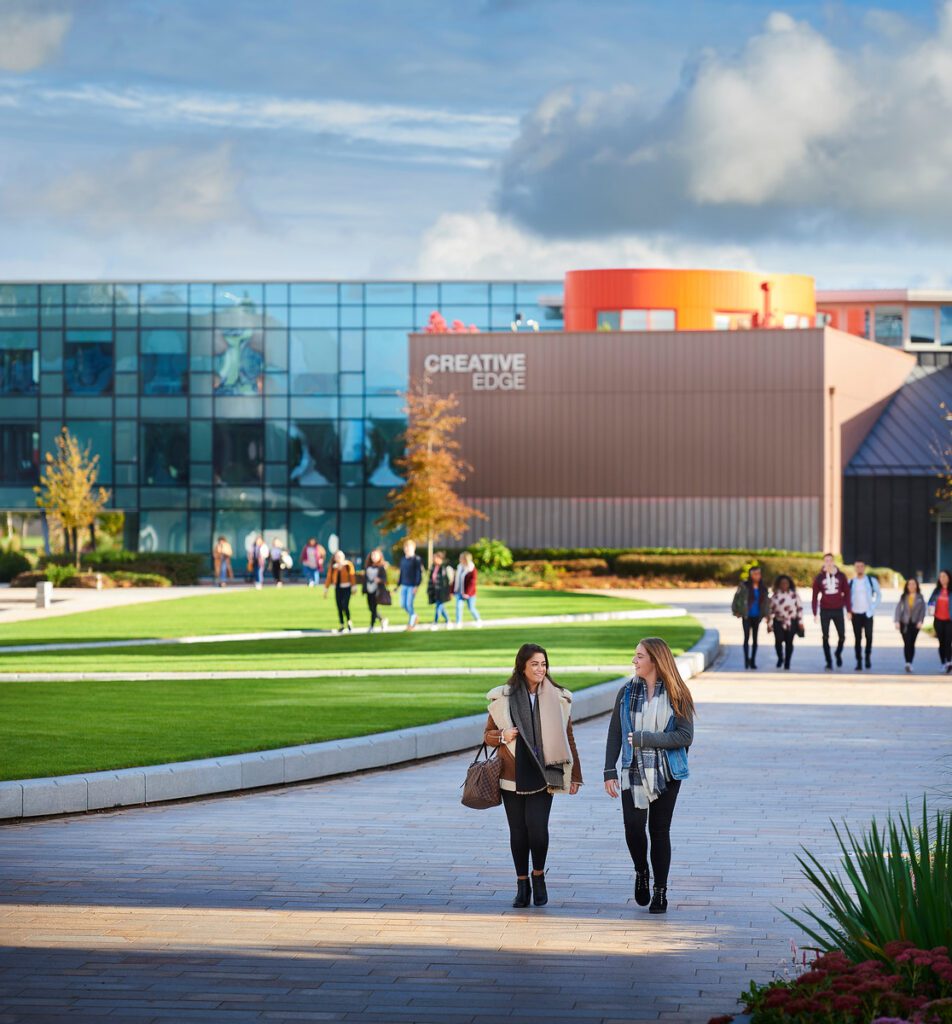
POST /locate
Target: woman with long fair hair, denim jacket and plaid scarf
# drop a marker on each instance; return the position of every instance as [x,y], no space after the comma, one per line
[653,727]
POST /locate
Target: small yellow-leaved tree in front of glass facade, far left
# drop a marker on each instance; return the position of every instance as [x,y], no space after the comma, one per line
[68,489]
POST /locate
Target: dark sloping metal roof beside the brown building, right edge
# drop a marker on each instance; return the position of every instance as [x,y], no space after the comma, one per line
[913,433]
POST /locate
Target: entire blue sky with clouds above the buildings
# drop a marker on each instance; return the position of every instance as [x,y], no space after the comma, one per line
[179,140]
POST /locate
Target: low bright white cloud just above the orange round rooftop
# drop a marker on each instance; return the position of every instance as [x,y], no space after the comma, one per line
[486,245]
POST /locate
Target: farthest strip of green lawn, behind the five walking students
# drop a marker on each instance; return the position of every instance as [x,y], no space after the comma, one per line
[288,609]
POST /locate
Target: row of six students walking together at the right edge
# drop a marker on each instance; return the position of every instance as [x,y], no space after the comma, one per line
[835,600]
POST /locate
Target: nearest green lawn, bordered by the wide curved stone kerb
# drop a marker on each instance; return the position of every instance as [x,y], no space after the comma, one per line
[60,729]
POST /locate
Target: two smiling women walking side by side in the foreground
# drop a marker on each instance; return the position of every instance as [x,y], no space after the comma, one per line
[652,729]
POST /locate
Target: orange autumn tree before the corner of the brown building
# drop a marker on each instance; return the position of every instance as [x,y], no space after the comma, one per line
[427,505]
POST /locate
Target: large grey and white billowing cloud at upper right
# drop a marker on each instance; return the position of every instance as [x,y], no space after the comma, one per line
[791,137]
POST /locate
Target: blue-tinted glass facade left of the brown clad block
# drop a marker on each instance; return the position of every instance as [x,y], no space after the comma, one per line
[230,409]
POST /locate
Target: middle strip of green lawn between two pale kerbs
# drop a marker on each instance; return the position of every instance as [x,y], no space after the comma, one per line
[576,644]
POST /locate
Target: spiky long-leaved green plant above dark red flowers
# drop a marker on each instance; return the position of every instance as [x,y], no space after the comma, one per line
[898,886]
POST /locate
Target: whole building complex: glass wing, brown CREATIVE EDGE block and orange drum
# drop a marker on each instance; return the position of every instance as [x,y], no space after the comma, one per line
[677,408]
